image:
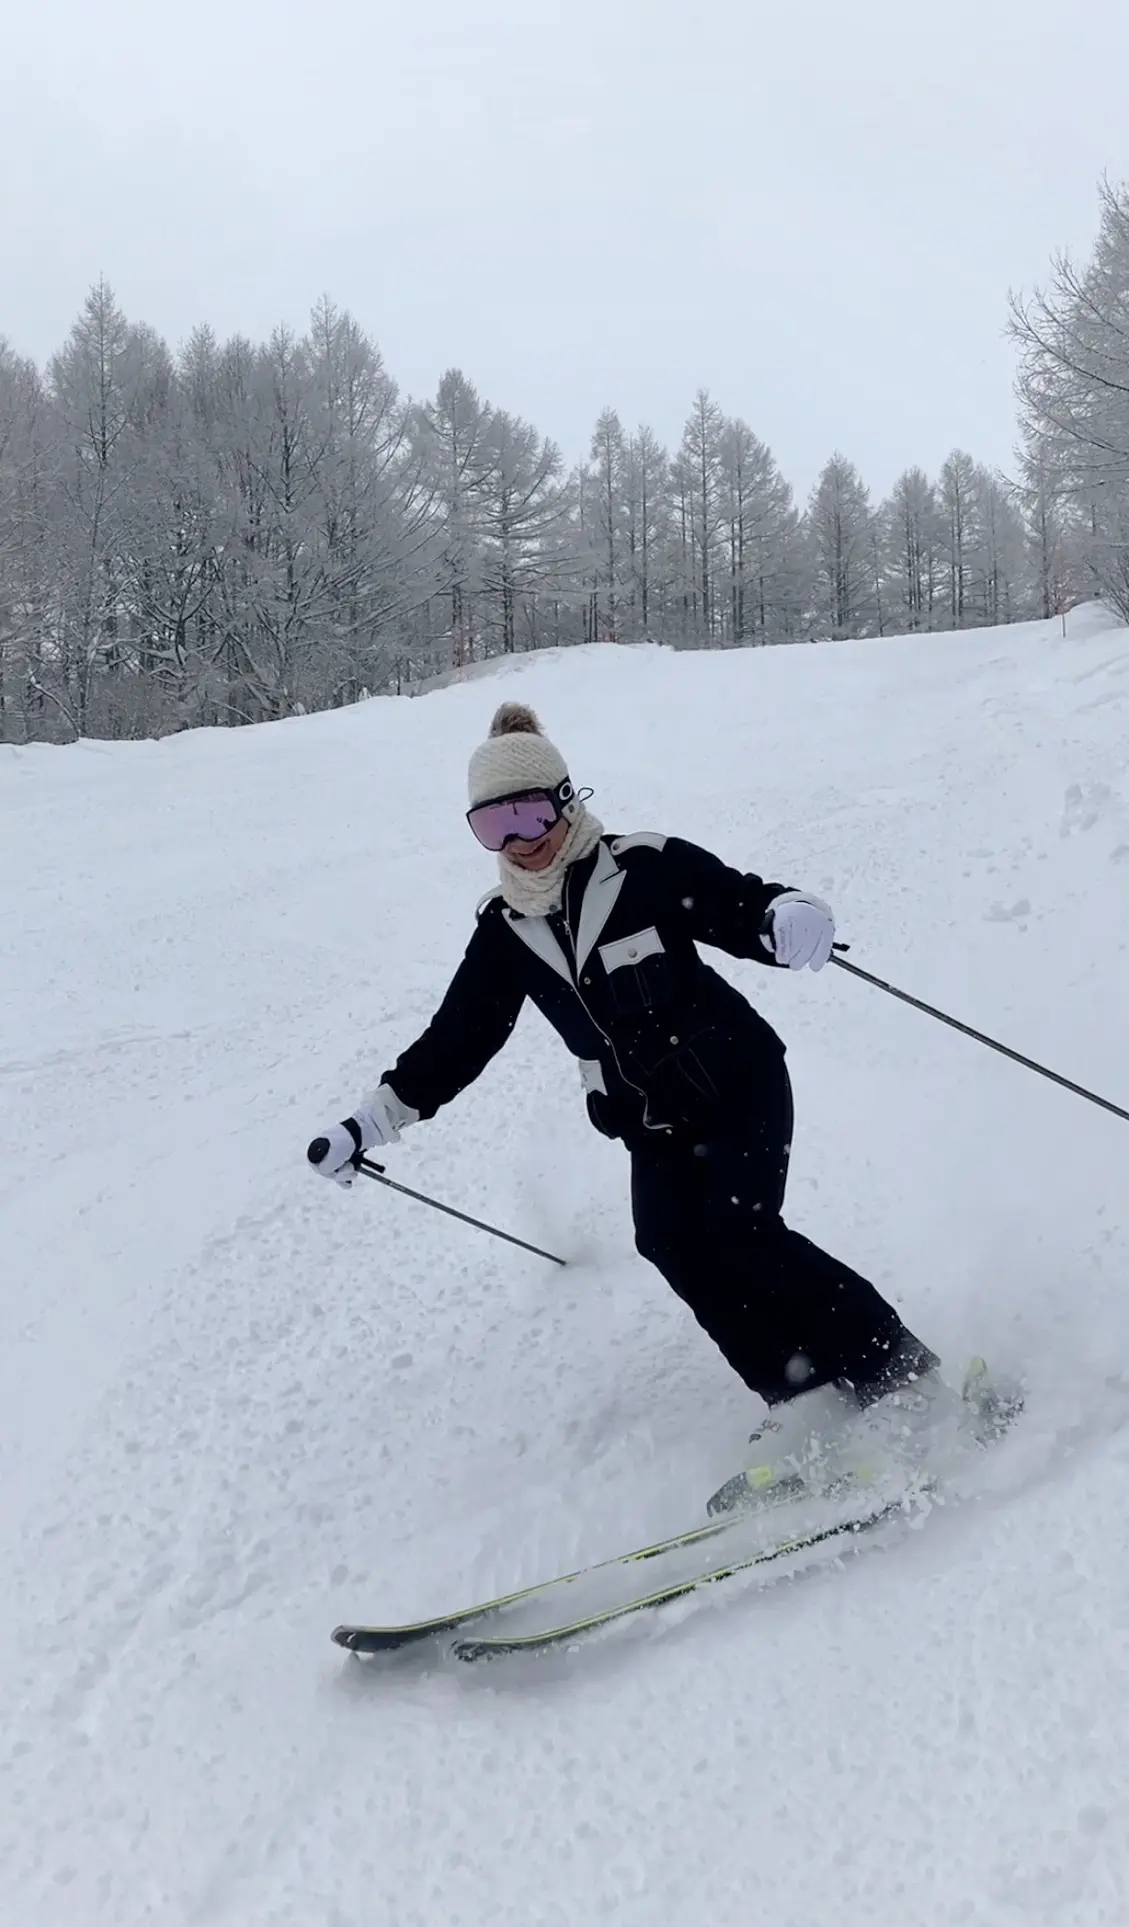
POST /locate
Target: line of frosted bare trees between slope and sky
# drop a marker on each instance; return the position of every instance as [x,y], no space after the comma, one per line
[249,531]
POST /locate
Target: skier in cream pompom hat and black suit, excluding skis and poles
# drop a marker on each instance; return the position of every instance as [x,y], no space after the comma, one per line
[602,934]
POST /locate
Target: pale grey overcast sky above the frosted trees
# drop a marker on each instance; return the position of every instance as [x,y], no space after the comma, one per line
[812,209]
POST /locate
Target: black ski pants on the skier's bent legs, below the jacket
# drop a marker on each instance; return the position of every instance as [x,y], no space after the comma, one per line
[785,1313]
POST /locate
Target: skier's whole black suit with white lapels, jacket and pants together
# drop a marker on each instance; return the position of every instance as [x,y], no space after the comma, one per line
[679,1067]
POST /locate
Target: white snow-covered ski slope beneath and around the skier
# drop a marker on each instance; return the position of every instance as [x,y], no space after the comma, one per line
[238,1406]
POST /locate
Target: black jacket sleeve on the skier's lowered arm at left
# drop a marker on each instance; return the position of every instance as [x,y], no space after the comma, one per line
[471,1026]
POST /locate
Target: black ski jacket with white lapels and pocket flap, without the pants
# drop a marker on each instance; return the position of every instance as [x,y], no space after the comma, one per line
[664,1040]
